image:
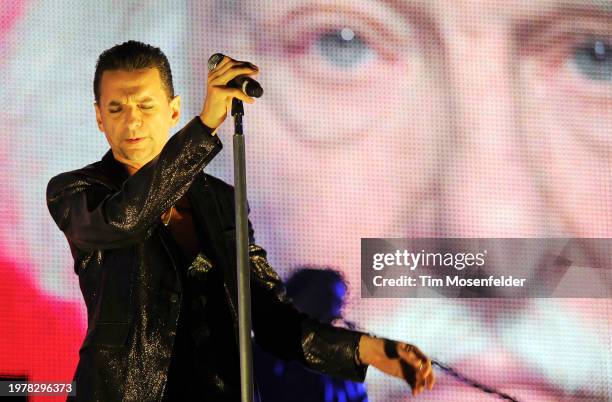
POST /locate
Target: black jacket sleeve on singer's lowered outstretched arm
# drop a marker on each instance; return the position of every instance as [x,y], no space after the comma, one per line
[290,335]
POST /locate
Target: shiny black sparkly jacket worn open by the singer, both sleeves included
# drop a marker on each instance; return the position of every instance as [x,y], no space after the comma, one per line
[129,280]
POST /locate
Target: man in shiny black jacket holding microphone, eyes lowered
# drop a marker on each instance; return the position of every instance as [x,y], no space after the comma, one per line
[152,238]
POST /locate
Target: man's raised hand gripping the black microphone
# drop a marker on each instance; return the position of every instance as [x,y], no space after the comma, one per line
[218,95]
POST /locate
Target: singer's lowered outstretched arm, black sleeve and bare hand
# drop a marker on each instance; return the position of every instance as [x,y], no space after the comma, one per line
[290,335]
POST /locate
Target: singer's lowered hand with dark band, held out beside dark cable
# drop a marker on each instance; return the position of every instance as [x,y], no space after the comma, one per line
[399,360]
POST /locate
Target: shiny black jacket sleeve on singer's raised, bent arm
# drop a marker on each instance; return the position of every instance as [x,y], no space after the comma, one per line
[94,217]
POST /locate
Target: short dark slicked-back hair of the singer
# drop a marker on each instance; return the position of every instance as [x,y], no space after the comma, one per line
[133,55]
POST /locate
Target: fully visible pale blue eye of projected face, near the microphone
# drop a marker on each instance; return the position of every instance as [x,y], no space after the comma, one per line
[338,43]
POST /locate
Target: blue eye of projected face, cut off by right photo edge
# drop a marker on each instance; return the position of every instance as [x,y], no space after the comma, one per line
[593,60]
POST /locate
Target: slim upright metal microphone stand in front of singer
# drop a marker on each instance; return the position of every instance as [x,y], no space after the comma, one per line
[242,256]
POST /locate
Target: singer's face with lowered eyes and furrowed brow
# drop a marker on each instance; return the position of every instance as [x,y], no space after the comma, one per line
[135,115]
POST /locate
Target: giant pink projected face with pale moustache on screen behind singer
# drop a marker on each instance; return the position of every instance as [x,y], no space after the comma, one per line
[444,119]
